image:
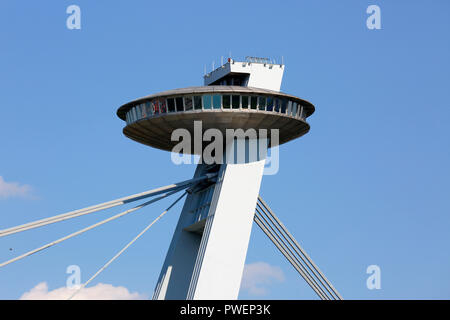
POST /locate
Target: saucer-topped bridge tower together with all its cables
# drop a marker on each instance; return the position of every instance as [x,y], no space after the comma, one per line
[229,123]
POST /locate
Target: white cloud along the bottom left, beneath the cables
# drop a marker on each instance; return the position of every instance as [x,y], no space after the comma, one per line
[100,291]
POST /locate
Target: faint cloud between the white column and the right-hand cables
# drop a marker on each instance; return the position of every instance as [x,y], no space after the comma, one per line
[257,276]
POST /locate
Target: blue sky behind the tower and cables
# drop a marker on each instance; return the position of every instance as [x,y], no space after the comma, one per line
[369,184]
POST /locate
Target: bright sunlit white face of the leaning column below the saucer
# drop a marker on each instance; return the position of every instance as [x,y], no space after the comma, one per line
[221,260]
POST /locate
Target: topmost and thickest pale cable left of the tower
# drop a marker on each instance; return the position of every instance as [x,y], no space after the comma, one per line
[103,206]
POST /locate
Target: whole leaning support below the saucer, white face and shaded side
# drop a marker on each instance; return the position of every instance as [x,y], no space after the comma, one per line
[207,254]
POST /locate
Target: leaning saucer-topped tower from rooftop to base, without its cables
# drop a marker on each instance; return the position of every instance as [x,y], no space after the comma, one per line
[208,249]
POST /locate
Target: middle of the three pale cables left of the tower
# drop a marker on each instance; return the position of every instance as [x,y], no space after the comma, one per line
[48,245]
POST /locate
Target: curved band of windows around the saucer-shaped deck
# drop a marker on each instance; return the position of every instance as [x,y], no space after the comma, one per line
[215,101]
